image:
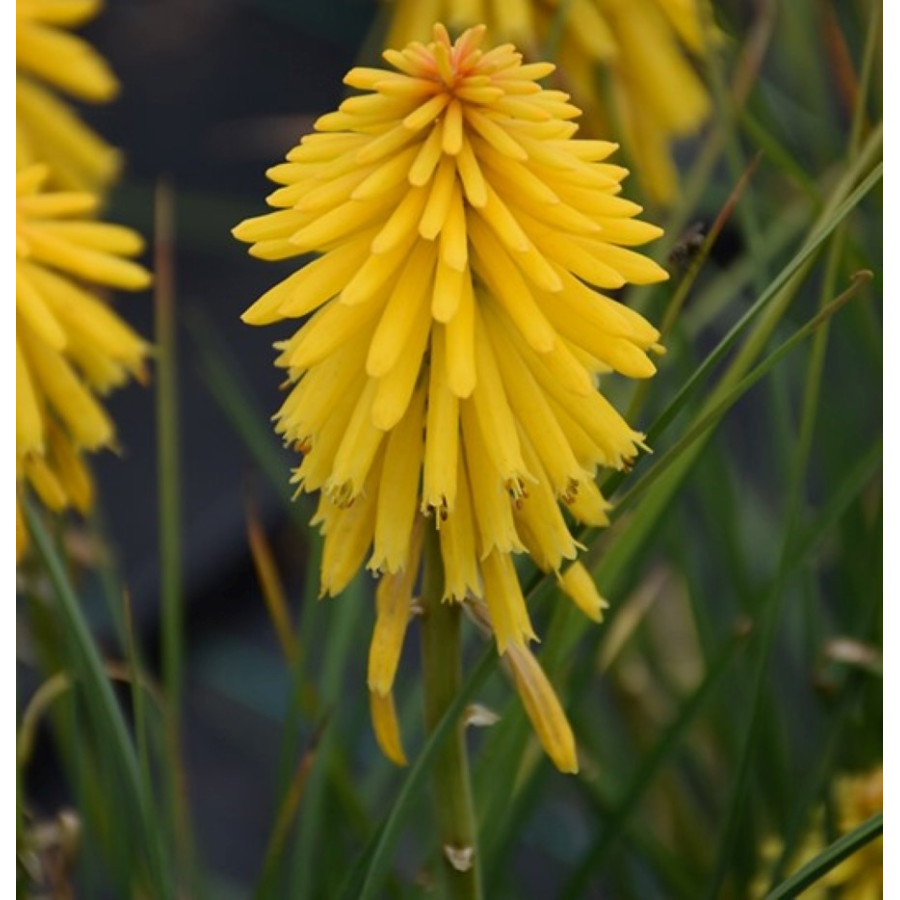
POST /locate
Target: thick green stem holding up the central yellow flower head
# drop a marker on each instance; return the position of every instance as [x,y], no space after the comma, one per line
[442,669]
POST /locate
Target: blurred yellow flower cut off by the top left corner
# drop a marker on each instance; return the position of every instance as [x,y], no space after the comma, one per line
[50,60]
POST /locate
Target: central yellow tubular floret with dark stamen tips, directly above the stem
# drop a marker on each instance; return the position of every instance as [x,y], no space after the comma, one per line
[441,435]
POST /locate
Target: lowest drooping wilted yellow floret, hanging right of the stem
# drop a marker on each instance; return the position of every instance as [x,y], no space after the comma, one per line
[544,709]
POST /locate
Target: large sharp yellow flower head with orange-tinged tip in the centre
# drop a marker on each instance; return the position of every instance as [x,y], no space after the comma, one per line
[447,378]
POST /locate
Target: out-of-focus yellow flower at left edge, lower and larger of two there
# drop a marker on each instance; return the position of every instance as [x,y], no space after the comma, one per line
[70,346]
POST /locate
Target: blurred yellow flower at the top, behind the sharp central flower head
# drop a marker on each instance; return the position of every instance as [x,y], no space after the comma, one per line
[628,64]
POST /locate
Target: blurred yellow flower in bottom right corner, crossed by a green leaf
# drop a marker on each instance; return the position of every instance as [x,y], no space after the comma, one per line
[860,876]
